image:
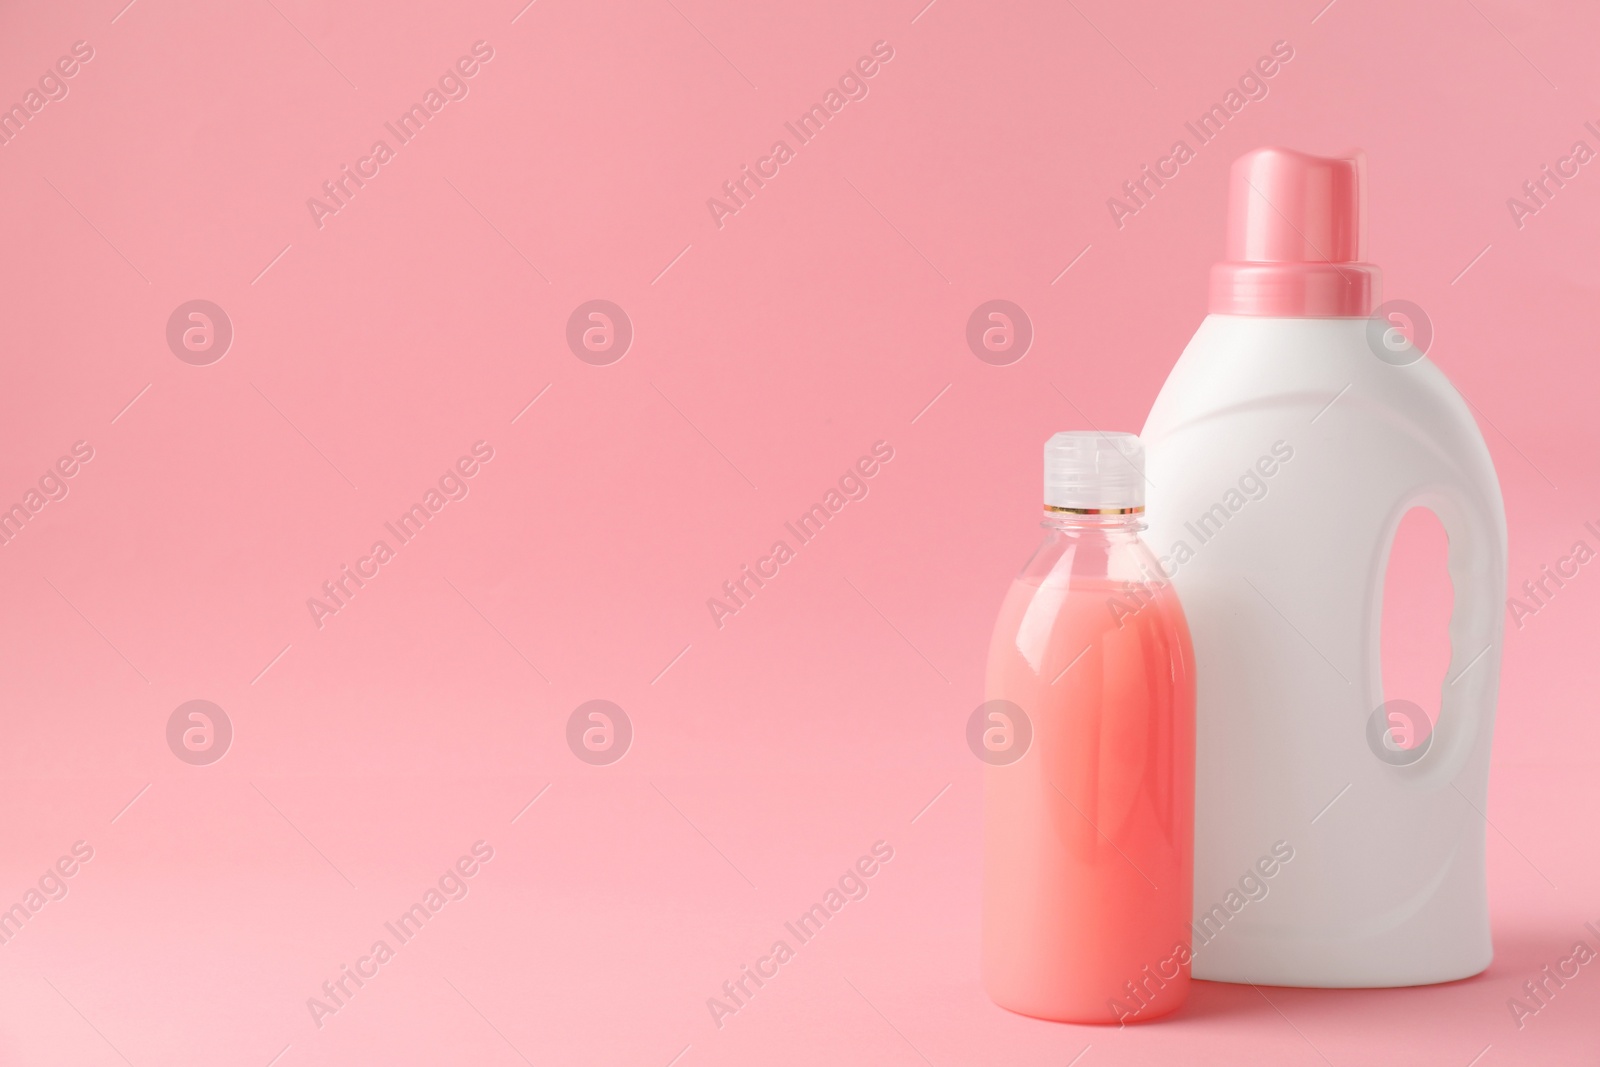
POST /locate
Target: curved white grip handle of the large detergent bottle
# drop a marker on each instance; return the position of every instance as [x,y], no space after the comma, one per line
[1478,577]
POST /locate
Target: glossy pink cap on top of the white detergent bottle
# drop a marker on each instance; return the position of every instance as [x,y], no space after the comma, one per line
[1297,239]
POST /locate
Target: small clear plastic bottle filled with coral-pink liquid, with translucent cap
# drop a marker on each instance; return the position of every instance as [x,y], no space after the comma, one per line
[1089,788]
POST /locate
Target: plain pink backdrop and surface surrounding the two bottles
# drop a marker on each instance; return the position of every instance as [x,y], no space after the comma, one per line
[769,354]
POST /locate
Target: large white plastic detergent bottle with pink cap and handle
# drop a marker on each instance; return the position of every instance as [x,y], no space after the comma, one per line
[1289,442]
